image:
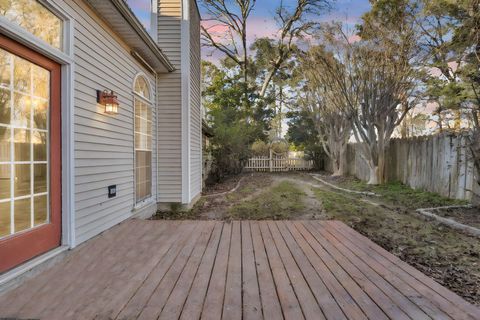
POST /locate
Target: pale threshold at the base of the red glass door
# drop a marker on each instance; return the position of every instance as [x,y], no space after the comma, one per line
[13,278]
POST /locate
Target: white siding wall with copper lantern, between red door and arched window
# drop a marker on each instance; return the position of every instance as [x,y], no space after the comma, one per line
[104,150]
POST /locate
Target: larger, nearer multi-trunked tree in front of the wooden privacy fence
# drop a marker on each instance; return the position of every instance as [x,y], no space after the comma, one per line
[385,79]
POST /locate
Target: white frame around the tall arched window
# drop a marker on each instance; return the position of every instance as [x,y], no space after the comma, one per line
[147,201]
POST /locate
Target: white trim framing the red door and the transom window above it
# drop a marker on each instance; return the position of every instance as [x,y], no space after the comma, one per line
[65,58]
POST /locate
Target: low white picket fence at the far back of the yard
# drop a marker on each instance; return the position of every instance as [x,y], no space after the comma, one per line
[278,164]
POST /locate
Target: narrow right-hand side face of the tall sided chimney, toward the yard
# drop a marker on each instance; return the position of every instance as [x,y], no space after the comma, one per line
[195,101]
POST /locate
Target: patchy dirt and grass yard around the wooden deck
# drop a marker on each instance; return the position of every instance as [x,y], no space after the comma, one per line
[389,219]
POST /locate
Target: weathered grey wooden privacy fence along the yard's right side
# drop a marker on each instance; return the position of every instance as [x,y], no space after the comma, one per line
[440,163]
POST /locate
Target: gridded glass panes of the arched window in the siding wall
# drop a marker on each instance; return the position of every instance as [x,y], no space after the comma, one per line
[143,139]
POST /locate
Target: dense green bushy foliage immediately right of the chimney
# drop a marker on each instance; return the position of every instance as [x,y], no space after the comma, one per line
[234,127]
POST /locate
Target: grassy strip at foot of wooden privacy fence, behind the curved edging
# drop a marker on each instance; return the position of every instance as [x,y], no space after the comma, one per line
[397,193]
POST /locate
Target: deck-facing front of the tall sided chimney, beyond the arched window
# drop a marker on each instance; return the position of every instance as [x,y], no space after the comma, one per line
[169,104]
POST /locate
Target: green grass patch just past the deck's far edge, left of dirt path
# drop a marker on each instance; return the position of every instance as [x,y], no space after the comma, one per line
[280,202]
